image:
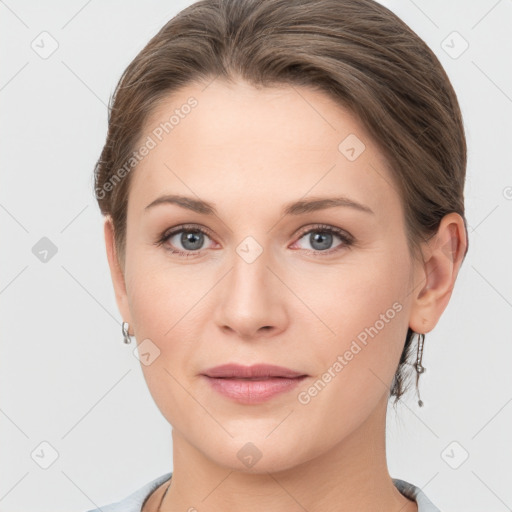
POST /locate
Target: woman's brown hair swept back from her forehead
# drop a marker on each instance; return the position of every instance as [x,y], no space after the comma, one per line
[356,51]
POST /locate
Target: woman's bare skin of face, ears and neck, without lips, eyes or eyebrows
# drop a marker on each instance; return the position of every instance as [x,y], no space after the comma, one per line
[251,151]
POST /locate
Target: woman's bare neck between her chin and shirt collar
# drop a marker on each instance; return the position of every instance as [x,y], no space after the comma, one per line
[350,476]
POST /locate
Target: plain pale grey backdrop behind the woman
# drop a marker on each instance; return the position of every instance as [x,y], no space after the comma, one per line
[71,390]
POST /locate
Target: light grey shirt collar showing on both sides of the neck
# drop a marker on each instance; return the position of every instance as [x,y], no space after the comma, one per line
[135,501]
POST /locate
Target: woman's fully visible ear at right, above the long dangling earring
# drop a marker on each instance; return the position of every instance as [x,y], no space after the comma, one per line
[435,278]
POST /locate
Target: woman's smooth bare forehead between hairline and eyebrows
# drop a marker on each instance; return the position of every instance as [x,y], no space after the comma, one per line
[261,144]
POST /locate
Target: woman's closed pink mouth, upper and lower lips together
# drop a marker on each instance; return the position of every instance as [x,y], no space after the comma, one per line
[252,384]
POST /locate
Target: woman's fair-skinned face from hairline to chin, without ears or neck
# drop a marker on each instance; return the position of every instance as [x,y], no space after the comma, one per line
[258,276]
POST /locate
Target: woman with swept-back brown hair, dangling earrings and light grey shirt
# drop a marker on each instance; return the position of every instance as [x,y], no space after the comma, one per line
[282,184]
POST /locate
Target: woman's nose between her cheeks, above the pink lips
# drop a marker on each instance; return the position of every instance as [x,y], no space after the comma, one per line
[251,302]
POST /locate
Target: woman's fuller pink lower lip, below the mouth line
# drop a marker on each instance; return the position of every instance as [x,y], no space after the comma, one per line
[253,391]
